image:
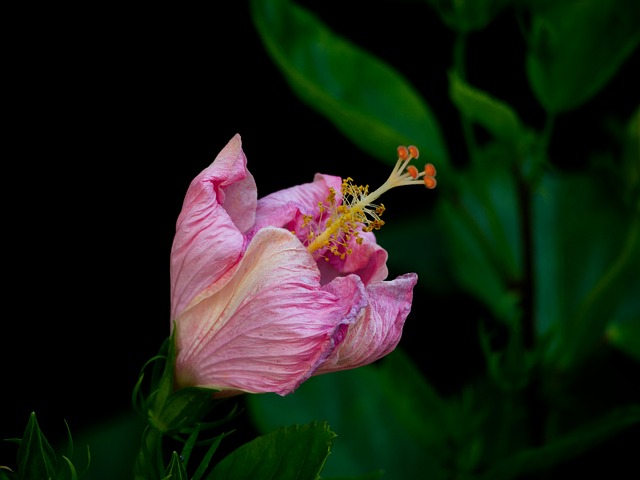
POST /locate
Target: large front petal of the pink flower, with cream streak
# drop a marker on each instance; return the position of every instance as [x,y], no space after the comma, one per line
[270,326]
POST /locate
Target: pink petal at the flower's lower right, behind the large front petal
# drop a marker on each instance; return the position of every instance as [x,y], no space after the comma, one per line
[379,329]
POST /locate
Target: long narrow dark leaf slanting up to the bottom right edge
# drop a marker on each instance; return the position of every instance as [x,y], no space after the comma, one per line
[532,460]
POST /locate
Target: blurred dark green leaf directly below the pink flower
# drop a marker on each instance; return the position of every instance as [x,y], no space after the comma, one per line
[353,402]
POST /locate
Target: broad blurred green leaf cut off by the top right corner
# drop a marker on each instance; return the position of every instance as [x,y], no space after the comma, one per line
[576,47]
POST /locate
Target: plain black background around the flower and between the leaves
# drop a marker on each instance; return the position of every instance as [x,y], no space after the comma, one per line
[112,113]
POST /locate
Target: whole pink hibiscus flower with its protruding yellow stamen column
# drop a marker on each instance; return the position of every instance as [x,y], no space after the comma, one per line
[268,292]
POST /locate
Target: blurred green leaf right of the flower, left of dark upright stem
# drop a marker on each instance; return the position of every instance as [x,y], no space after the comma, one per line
[482,232]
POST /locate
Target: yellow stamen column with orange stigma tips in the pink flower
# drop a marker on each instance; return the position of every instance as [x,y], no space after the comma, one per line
[341,219]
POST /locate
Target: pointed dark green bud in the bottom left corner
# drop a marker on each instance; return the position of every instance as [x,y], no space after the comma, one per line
[36,458]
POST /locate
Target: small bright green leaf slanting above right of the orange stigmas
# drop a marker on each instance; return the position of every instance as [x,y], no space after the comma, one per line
[494,115]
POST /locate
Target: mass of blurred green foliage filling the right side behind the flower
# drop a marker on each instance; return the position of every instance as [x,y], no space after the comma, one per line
[552,253]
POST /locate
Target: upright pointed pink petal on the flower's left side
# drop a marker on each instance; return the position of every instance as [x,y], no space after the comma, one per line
[218,208]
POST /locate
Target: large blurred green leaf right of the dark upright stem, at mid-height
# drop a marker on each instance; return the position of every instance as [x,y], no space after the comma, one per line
[587,251]
